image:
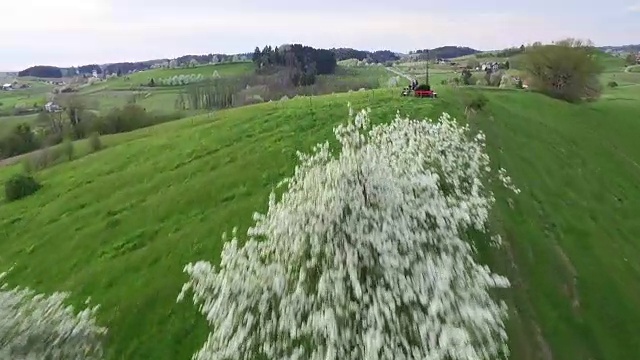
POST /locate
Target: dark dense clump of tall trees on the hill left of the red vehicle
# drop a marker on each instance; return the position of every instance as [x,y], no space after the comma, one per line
[303,63]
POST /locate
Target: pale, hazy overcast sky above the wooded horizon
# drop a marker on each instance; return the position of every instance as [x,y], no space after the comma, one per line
[77,32]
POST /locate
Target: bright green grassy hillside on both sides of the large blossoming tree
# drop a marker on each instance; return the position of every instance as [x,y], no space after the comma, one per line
[119,225]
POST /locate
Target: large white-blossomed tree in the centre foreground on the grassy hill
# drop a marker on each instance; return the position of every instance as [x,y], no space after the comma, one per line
[364,256]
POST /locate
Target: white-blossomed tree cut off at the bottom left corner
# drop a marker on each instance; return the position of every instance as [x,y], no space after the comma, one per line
[36,326]
